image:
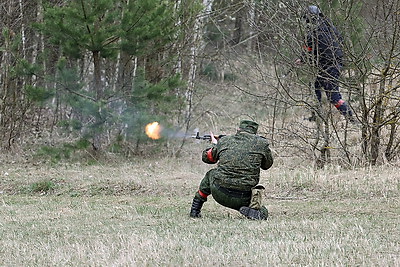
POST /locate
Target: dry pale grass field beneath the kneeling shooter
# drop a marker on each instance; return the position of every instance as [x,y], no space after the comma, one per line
[136,214]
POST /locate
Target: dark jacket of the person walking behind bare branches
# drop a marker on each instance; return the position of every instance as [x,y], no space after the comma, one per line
[324,44]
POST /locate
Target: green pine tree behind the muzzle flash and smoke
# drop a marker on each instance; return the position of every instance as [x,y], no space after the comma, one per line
[97,34]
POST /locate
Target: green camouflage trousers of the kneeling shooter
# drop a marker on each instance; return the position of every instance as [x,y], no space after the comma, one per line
[229,198]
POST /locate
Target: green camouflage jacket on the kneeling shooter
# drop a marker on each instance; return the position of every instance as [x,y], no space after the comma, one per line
[239,158]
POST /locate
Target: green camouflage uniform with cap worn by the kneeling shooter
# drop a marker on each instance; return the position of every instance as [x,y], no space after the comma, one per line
[239,158]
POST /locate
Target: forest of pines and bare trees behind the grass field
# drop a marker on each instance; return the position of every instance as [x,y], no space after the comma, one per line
[86,77]
